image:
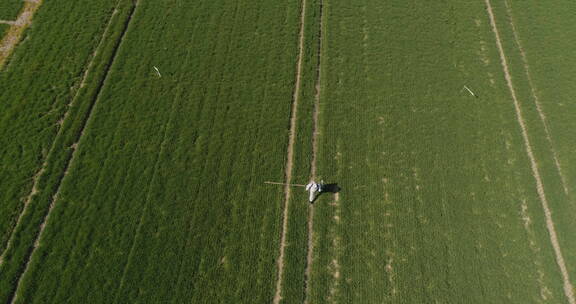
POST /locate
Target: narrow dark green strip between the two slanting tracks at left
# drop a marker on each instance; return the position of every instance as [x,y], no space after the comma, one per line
[27,237]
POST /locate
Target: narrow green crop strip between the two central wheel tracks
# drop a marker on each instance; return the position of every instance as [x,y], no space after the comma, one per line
[293,287]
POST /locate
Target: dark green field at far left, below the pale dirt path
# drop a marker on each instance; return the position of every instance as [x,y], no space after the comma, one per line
[41,81]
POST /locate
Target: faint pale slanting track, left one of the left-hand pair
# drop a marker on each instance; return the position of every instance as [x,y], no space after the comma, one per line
[52,147]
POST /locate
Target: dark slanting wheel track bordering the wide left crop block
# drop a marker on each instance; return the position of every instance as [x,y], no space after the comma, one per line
[14,294]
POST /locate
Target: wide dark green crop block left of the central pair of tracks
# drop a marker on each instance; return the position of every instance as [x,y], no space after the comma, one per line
[164,199]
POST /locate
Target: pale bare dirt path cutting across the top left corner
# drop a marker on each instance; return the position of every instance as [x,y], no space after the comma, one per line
[17,29]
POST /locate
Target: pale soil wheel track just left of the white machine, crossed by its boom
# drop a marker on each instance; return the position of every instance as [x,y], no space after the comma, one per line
[290,155]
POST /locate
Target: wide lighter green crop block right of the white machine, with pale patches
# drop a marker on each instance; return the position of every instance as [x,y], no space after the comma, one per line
[438,201]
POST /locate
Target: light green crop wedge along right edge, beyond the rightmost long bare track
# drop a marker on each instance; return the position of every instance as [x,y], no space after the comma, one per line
[546,46]
